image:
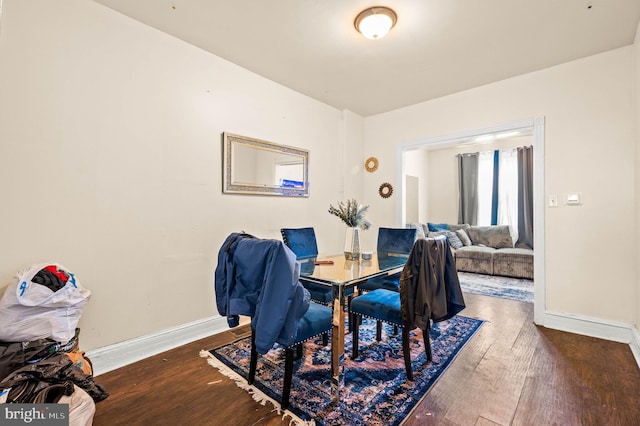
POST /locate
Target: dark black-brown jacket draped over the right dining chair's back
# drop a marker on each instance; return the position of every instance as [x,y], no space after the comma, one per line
[429,286]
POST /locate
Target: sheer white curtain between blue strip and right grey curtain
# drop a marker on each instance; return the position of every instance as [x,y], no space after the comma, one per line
[508,193]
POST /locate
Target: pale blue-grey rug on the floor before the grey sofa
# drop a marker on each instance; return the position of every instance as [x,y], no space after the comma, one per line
[492,285]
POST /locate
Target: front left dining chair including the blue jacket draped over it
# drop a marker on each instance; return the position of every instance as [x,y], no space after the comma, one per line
[259,278]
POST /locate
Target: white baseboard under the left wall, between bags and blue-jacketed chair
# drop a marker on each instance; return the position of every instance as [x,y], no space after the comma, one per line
[118,355]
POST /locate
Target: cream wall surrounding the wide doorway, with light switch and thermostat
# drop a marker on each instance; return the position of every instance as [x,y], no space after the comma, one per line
[589,147]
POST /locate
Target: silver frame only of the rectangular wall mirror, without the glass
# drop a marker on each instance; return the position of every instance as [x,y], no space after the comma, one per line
[229,186]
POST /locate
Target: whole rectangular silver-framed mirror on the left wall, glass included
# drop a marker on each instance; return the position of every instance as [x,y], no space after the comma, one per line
[254,166]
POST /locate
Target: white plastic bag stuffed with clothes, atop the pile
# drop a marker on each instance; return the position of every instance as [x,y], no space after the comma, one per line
[42,301]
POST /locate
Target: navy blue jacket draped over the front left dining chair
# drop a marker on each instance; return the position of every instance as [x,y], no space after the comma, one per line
[259,278]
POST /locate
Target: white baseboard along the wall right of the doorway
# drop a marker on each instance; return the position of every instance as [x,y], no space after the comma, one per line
[594,327]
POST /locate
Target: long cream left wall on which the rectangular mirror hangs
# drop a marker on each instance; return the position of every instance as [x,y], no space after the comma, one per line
[111,162]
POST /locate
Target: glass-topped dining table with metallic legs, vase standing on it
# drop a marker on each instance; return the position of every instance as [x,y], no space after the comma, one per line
[341,275]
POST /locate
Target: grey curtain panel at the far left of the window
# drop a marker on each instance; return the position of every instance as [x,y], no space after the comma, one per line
[468,183]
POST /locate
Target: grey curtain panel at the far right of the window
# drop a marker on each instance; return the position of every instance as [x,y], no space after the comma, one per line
[525,197]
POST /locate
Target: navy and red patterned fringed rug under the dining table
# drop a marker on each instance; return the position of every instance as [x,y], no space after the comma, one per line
[376,391]
